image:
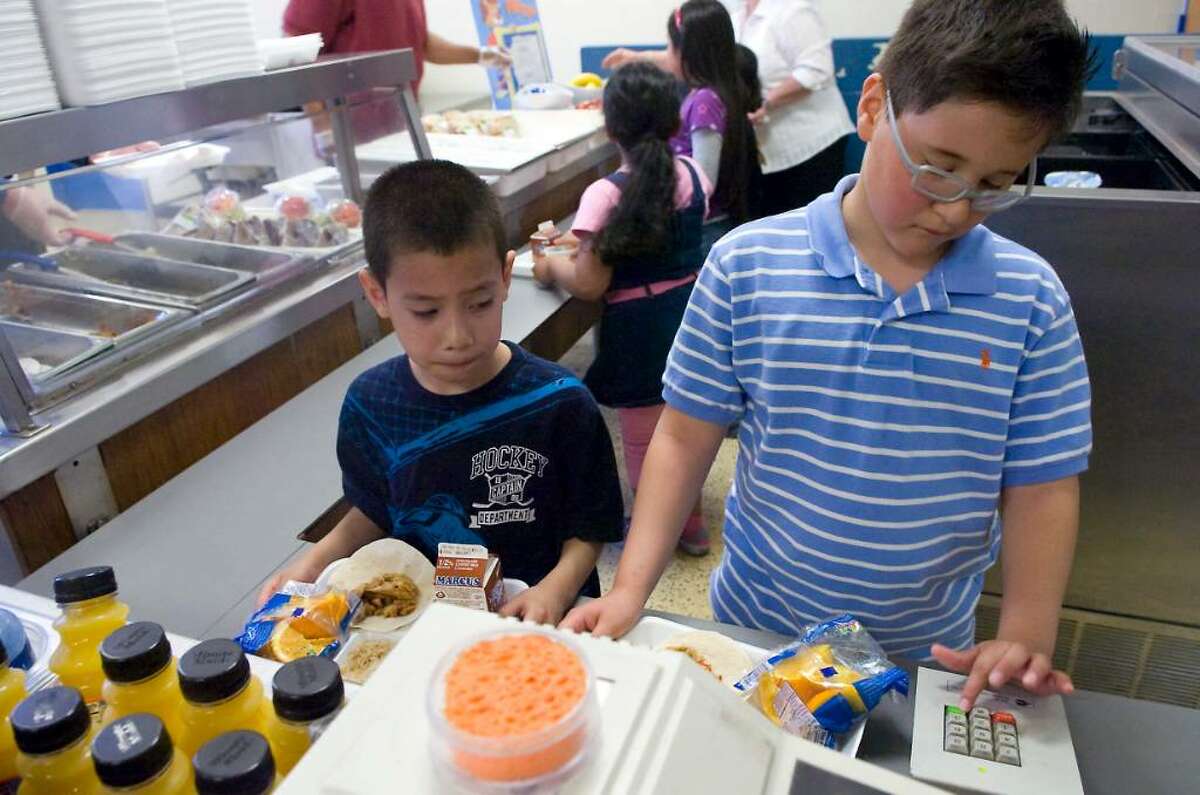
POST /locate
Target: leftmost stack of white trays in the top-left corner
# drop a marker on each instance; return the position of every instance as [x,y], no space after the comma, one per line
[27,85]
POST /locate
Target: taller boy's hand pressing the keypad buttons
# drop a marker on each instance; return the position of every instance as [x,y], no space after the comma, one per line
[994,664]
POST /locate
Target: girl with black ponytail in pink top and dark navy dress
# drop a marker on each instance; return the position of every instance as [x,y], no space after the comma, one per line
[639,249]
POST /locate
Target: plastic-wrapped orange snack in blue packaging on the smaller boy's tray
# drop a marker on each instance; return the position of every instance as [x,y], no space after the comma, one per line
[301,624]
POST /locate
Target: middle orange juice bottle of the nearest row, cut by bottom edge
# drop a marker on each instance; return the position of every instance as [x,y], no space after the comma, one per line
[135,755]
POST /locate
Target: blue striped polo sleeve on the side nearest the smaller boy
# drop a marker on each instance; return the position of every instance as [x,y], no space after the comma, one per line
[700,380]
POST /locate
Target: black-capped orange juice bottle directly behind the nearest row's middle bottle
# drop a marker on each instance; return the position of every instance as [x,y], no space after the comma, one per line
[142,676]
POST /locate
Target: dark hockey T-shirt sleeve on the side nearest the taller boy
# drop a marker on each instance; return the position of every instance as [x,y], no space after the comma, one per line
[593,509]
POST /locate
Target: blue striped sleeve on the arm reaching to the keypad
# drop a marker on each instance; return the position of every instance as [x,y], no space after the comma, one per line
[1051,426]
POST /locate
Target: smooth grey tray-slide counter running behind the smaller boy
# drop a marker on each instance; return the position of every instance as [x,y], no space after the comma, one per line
[194,554]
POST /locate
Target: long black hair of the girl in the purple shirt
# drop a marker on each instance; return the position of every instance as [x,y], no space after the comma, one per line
[703,34]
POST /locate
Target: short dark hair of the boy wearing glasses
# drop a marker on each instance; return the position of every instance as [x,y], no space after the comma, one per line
[1027,56]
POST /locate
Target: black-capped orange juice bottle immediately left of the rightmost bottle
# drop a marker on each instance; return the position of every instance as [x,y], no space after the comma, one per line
[220,694]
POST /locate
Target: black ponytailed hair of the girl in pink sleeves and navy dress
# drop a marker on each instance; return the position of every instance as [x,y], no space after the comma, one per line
[641,112]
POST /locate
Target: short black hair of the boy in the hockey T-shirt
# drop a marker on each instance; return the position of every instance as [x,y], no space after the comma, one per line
[429,206]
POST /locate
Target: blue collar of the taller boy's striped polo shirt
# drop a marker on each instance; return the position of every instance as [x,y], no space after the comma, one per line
[969,266]
